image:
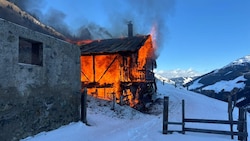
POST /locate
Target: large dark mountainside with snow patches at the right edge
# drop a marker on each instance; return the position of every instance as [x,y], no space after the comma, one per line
[233,78]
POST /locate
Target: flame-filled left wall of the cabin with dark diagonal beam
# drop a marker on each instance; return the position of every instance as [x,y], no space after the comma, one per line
[101,75]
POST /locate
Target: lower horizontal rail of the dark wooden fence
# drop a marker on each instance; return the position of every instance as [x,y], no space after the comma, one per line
[214,131]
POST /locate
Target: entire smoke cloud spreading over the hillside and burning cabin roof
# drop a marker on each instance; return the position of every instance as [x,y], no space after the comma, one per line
[144,14]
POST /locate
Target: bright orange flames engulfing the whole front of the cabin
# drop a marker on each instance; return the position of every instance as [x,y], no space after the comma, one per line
[114,73]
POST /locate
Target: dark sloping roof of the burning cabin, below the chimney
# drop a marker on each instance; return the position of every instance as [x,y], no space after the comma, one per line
[111,46]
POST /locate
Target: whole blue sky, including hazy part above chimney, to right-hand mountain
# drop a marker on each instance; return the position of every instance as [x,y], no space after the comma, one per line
[195,35]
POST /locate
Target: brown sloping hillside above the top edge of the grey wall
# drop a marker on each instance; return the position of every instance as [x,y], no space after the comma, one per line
[13,13]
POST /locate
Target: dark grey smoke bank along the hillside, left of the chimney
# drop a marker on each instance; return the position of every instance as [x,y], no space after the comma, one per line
[52,17]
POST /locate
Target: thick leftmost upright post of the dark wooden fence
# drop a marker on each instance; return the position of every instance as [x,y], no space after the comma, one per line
[165,115]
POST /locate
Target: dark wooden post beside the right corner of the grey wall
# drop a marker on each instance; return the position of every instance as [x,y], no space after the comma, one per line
[84,106]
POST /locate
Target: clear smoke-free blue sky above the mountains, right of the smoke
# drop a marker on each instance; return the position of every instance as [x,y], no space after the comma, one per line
[206,34]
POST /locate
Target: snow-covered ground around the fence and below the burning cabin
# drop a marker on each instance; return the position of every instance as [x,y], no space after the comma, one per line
[126,124]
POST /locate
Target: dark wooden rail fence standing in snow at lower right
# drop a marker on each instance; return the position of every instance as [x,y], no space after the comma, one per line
[241,123]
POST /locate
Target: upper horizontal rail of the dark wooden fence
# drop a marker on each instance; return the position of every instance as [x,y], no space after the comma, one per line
[211,121]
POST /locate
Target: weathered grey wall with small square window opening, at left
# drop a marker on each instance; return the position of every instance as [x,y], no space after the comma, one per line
[35,98]
